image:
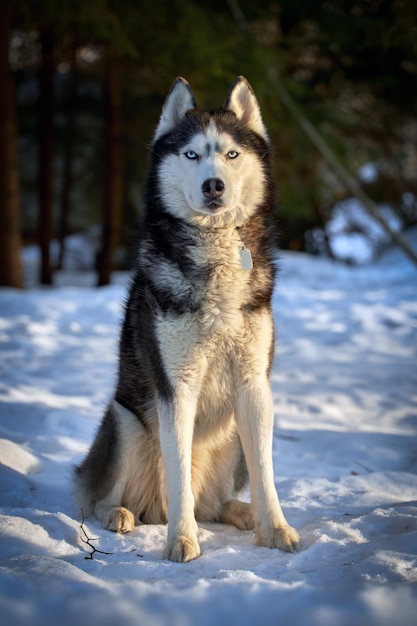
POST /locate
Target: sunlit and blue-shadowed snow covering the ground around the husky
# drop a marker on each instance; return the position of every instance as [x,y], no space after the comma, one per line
[345,454]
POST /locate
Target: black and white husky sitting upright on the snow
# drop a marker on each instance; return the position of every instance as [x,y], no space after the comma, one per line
[193,411]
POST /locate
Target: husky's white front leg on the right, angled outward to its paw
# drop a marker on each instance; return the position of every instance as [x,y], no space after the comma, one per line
[254,415]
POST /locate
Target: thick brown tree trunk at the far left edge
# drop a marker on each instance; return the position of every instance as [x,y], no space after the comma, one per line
[10,235]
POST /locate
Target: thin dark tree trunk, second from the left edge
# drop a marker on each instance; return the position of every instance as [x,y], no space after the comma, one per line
[45,120]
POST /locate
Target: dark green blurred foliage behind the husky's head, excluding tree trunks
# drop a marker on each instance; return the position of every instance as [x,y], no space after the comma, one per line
[350,66]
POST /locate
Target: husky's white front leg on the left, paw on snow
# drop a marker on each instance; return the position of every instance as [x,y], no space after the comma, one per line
[176,434]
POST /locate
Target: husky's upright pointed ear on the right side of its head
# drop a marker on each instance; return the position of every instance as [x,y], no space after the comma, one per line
[242,101]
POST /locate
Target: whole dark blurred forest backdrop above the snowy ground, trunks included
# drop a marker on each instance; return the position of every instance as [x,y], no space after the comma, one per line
[83,81]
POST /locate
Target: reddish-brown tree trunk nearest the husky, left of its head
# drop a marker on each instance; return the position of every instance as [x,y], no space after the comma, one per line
[113,182]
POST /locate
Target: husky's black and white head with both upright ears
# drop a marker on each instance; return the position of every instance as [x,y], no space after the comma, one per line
[211,164]
